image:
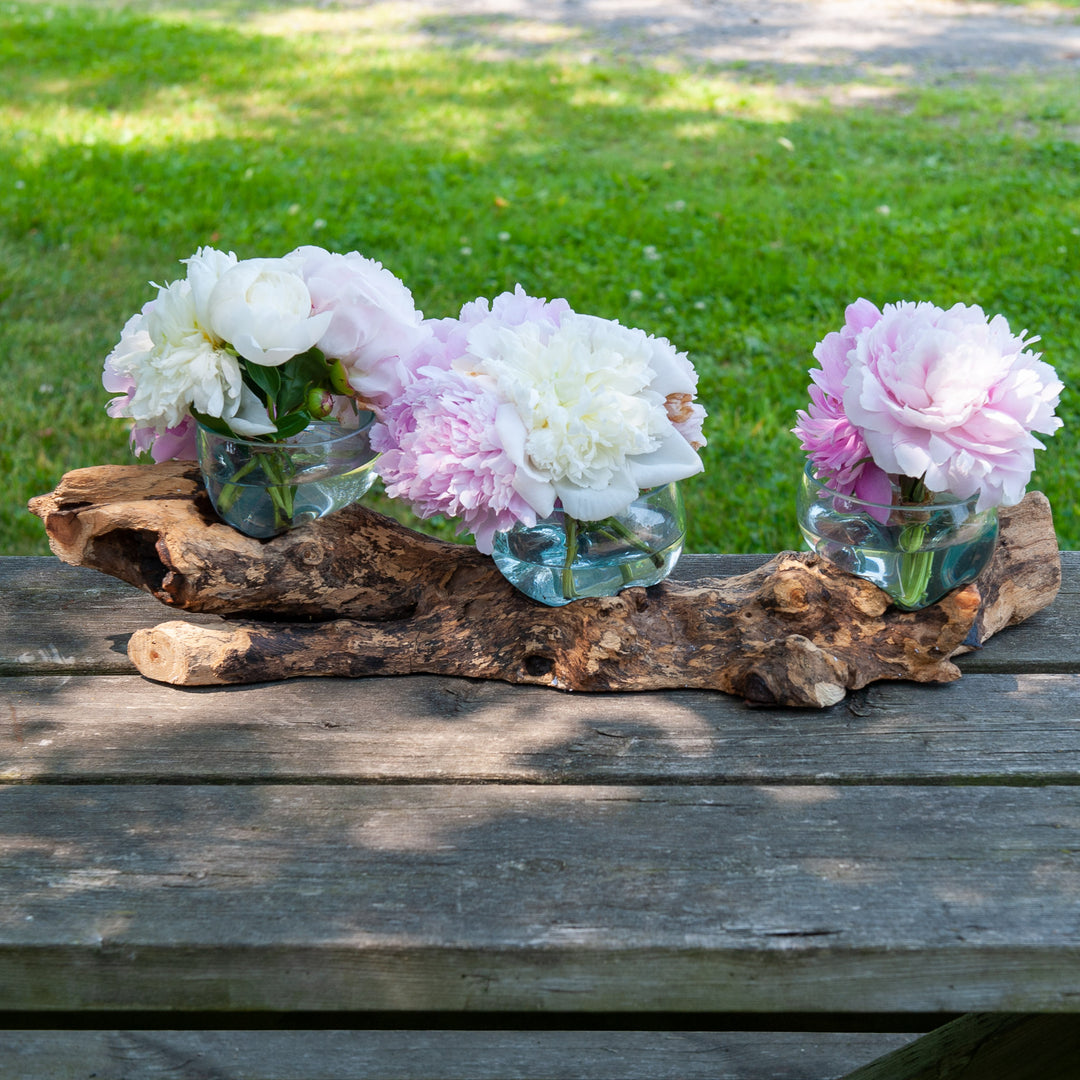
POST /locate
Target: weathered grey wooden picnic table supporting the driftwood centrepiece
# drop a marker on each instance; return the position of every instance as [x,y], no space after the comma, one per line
[433,877]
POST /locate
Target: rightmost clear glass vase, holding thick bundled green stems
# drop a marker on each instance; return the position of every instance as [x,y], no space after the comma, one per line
[914,553]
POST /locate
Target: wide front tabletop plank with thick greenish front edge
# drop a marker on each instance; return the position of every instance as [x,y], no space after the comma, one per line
[541,898]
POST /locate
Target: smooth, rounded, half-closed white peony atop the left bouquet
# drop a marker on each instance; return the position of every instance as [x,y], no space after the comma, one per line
[263,309]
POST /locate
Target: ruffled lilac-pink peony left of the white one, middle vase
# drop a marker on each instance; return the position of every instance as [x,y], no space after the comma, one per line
[444,447]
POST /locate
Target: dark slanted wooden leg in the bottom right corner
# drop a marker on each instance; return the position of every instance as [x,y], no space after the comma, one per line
[988,1047]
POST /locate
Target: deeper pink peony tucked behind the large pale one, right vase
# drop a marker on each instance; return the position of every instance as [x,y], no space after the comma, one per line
[835,445]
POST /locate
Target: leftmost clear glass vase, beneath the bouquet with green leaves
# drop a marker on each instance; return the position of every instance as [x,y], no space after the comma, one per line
[266,489]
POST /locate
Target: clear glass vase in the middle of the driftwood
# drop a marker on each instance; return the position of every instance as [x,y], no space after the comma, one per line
[560,559]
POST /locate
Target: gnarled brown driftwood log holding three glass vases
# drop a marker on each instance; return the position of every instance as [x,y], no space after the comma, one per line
[359,595]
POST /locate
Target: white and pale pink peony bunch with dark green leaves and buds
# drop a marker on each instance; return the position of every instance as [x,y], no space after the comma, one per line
[261,348]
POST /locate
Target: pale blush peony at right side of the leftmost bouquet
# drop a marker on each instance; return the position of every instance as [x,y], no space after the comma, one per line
[374,326]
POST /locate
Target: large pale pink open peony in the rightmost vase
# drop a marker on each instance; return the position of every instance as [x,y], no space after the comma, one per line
[951,398]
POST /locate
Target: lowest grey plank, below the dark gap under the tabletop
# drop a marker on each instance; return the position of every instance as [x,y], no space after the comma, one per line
[439,1056]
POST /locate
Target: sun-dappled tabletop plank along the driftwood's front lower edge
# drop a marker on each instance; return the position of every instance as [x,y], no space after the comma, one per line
[984,728]
